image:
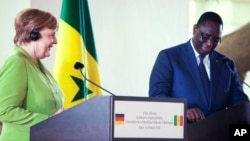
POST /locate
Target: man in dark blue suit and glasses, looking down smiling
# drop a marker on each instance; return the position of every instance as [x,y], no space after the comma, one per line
[176,72]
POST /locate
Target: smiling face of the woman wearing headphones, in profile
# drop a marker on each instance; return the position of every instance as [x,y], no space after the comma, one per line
[45,43]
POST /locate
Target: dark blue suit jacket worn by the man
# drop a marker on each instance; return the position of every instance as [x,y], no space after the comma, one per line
[175,74]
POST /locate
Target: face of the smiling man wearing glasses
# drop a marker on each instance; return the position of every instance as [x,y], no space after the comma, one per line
[206,37]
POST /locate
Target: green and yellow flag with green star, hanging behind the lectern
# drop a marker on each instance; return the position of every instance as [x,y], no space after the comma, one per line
[75,43]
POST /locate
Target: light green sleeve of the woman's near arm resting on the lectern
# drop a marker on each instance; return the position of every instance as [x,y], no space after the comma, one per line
[13,89]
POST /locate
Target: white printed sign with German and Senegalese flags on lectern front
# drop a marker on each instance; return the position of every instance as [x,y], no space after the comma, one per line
[149,119]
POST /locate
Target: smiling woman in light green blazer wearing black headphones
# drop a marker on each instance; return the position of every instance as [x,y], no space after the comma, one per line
[28,92]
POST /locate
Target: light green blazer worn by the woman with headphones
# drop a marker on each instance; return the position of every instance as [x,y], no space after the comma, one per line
[28,95]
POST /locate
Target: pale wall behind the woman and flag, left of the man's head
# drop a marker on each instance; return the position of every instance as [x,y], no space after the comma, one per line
[128,36]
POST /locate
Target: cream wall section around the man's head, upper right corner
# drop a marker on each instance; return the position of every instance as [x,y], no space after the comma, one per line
[233,12]
